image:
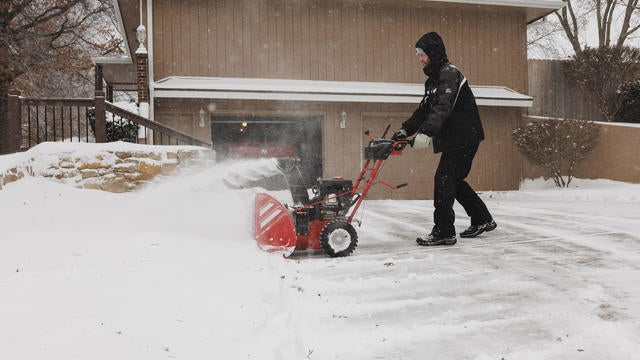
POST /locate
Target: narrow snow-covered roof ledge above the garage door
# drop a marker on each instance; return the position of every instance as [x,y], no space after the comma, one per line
[320,91]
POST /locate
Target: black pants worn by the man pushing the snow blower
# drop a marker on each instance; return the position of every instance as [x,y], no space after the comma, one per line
[453,168]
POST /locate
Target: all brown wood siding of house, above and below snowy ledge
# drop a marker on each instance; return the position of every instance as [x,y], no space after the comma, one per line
[347,41]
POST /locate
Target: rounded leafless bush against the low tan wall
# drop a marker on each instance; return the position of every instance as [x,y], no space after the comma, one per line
[557,145]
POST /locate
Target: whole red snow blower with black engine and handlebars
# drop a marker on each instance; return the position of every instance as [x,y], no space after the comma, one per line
[324,220]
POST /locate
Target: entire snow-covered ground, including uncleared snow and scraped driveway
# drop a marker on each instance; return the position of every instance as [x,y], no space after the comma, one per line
[172,272]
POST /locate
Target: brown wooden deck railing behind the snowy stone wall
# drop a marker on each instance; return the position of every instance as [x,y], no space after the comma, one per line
[35,120]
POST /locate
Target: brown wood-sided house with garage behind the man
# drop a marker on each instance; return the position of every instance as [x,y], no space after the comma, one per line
[308,77]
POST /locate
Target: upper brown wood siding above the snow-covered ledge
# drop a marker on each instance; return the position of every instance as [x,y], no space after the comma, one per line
[335,40]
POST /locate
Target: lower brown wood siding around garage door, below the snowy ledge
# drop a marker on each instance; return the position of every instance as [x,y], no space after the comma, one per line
[498,164]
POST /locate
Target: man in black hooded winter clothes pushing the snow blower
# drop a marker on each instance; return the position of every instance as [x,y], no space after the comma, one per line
[448,113]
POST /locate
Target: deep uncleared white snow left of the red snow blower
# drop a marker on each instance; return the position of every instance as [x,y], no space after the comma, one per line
[172,271]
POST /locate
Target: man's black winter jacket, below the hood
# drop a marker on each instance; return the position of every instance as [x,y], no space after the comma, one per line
[448,112]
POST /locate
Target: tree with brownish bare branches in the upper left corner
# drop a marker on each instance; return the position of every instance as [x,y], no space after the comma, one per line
[43,36]
